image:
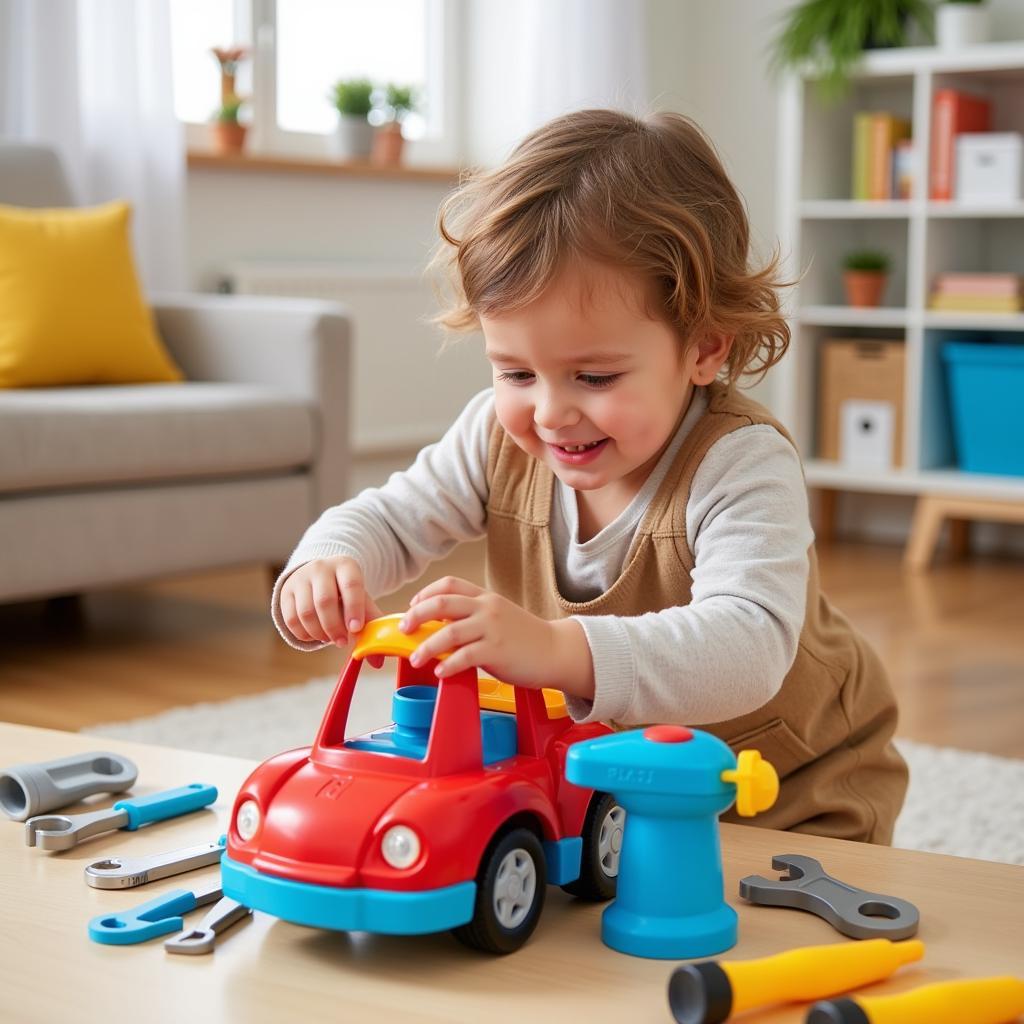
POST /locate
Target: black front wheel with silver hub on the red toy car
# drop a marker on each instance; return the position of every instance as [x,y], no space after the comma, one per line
[519,851]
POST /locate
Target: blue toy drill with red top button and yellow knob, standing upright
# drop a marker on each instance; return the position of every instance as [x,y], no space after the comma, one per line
[673,784]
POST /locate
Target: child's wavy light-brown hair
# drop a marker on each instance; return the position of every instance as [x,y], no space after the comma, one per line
[648,196]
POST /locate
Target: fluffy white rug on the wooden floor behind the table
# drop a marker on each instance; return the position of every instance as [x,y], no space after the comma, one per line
[961,803]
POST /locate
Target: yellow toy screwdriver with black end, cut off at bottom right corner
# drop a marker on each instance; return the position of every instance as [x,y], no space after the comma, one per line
[980,1001]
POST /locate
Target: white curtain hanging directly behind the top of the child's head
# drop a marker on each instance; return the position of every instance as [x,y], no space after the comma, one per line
[531,61]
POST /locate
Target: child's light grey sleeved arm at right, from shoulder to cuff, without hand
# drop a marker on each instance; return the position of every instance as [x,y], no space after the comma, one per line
[728,652]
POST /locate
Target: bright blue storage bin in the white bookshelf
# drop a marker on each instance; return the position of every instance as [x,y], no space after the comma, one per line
[987,392]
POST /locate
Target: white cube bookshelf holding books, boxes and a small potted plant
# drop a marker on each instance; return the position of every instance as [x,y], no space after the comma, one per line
[819,225]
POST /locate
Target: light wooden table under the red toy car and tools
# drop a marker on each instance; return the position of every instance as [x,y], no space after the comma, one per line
[269,970]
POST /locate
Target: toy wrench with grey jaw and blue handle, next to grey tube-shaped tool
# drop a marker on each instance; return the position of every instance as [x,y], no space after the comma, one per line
[62,832]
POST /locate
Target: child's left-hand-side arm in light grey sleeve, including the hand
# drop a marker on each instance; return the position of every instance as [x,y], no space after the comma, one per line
[387,536]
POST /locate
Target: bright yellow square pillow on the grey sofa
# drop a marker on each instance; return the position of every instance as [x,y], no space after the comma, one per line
[71,308]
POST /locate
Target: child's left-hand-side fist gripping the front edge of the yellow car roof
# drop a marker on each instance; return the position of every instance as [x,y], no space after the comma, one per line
[326,601]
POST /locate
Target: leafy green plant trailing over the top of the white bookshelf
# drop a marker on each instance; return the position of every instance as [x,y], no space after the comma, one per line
[829,36]
